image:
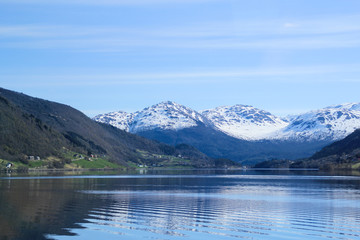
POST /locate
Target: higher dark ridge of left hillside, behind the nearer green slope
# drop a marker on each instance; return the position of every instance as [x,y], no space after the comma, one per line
[98,138]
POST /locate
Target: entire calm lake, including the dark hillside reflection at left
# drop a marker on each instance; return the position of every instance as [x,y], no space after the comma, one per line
[181,205]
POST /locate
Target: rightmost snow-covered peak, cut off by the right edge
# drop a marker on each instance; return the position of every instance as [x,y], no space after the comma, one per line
[330,123]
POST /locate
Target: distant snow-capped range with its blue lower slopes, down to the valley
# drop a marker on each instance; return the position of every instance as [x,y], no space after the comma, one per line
[241,132]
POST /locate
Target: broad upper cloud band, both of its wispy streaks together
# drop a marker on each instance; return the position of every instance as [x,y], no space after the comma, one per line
[336,32]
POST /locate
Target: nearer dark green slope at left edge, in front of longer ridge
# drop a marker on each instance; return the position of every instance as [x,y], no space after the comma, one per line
[22,134]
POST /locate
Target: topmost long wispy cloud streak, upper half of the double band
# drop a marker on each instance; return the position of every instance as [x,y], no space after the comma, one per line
[226,29]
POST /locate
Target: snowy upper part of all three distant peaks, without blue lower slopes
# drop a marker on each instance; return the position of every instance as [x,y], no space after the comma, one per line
[243,121]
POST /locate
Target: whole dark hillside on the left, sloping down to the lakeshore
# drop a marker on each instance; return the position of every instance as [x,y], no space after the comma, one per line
[31,126]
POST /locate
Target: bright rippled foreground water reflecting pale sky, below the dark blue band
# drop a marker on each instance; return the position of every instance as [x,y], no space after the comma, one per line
[166,215]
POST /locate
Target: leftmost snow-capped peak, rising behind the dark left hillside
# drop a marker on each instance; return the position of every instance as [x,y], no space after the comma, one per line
[165,115]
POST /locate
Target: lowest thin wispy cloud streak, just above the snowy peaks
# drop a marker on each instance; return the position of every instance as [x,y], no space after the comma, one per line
[189,77]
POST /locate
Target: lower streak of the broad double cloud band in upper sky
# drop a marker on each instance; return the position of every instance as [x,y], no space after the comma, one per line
[112,44]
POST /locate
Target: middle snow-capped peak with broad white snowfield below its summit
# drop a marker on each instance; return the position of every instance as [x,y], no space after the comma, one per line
[244,122]
